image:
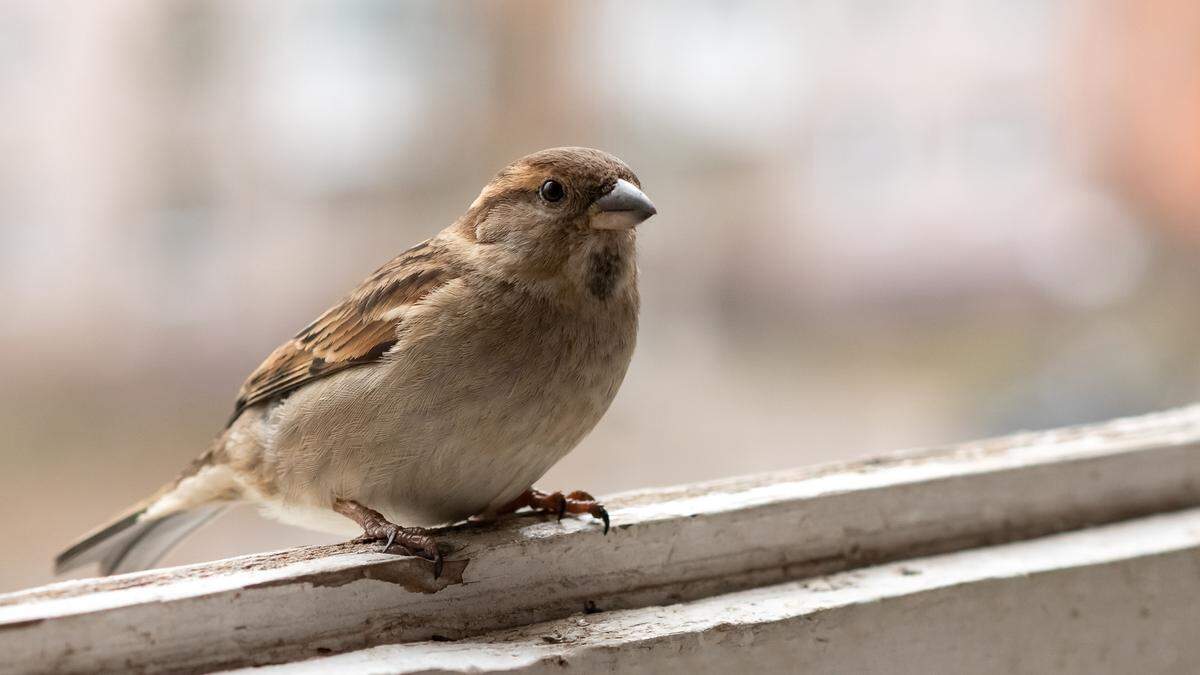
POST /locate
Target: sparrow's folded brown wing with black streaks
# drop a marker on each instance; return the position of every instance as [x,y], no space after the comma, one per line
[358,331]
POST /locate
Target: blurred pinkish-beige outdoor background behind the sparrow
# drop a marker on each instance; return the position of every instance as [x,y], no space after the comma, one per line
[883,224]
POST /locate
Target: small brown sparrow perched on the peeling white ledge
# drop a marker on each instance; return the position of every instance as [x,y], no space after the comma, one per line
[441,389]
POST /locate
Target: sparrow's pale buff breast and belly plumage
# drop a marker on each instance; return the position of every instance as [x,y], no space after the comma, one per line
[482,396]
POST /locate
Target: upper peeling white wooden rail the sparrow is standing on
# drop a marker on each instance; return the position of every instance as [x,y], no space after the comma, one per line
[668,547]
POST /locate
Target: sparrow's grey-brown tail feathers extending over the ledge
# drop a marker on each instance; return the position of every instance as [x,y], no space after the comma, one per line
[135,541]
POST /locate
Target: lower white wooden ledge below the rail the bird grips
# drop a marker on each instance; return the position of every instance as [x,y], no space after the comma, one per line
[1119,599]
